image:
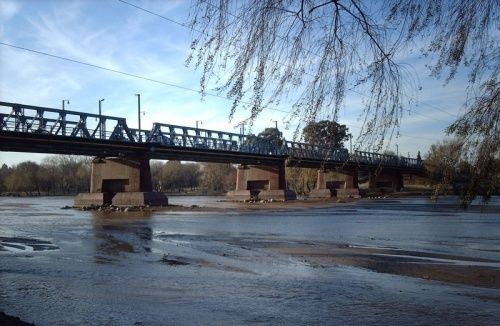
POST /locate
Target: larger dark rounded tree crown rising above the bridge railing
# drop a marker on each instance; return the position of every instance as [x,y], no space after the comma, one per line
[326,133]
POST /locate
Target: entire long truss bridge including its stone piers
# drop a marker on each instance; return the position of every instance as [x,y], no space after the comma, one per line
[117,147]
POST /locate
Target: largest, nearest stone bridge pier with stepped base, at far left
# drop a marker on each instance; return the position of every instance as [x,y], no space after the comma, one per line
[121,182]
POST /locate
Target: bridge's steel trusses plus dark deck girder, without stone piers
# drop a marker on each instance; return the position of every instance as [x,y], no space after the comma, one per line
[27,128]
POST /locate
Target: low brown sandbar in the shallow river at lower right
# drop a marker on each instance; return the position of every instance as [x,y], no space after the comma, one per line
[463,270]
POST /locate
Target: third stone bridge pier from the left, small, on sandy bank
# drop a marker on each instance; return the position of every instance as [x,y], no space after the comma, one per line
[340,184]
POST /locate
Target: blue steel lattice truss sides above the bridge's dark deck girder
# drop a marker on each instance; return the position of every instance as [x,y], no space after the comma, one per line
[68,123]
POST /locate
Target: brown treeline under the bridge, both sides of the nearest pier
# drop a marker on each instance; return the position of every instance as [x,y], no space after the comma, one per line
[69,175]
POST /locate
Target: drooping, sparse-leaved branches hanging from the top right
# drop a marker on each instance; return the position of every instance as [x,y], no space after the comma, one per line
[309,52]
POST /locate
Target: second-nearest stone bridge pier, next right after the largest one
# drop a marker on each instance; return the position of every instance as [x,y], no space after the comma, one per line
[261,182]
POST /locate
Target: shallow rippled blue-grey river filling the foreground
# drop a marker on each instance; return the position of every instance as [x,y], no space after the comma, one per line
[227,267]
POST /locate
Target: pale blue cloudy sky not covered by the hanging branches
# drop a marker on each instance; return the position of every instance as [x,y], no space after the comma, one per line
[118,36]
